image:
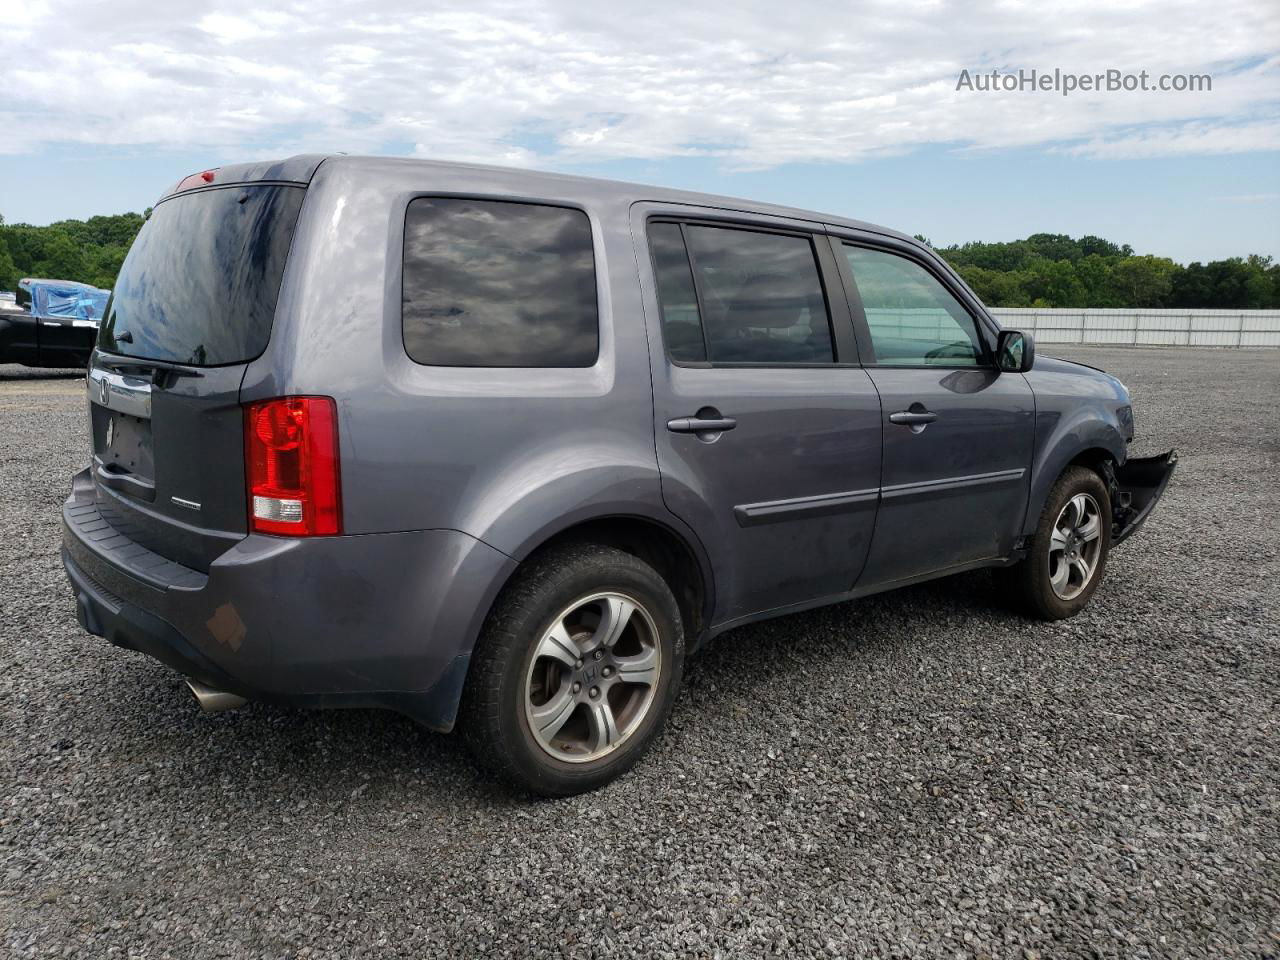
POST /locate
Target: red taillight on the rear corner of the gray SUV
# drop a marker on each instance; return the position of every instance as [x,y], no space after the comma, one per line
[291,459]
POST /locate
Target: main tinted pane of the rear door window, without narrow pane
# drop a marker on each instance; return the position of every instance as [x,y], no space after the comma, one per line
[762,298]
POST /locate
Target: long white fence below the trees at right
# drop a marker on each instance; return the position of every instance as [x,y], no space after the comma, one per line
[1169,328]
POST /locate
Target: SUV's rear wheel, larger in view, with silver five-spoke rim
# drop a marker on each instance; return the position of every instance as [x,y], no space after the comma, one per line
[575,673]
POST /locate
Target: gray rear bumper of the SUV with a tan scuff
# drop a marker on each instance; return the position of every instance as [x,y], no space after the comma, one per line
[382,620]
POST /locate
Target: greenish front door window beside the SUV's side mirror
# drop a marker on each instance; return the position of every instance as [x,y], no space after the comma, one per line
[913,319]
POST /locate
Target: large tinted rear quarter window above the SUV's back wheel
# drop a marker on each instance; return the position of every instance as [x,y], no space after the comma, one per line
[493,284]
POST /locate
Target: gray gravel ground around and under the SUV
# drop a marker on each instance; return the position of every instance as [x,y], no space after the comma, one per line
[920,774]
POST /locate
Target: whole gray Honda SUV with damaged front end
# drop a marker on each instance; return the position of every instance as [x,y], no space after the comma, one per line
[497,449]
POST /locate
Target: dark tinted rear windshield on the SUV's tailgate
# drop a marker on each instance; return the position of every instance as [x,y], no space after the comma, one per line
[202,280]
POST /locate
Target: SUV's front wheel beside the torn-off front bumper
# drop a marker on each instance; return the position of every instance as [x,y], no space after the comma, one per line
[1068,556]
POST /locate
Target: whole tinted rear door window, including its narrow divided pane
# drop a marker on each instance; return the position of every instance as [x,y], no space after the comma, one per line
[753,298]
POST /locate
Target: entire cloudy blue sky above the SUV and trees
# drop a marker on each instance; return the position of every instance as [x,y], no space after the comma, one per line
[858,109]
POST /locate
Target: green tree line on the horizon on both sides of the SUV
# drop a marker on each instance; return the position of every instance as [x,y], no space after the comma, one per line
[1044,271]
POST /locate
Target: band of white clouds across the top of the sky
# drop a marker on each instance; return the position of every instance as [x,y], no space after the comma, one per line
[755,85]
